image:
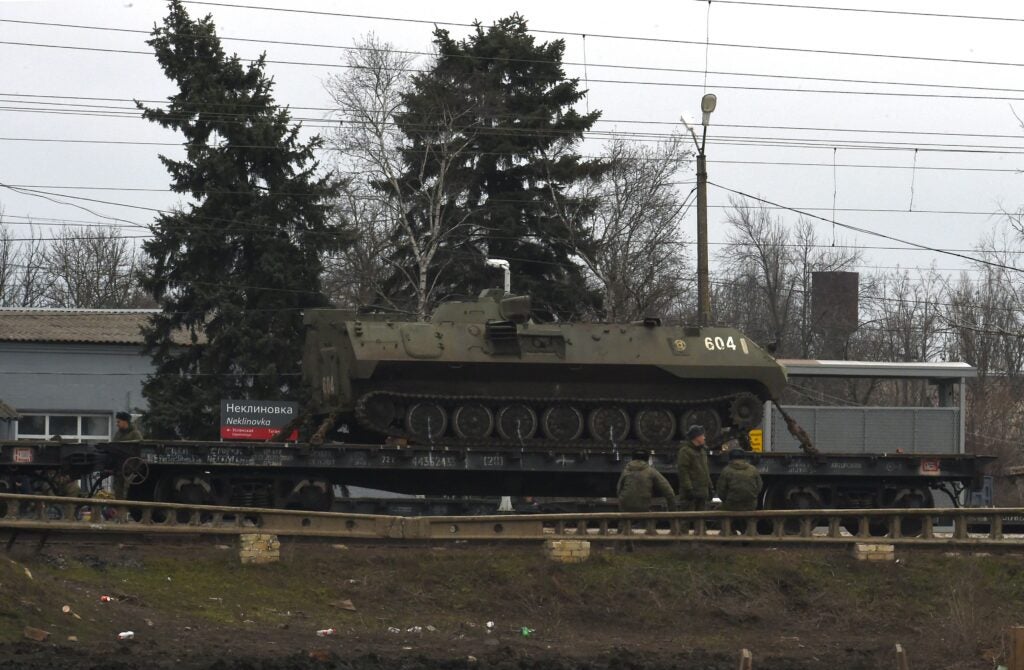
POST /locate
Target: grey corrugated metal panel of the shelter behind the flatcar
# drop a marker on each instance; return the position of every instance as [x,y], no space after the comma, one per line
[871,430]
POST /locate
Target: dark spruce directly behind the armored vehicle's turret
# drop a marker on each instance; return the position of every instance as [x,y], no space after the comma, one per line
[507,99]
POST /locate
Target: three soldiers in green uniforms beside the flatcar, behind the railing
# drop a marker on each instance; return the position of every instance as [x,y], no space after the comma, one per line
[739,486]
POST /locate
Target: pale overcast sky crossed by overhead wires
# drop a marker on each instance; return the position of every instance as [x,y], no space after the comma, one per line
[934,129]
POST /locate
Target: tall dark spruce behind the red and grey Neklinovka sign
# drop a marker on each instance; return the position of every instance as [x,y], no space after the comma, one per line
[233,268]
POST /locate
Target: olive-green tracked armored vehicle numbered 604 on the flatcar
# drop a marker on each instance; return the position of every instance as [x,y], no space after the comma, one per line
[483,372]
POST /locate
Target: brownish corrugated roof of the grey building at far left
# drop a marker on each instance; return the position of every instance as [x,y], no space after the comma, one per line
[83,326]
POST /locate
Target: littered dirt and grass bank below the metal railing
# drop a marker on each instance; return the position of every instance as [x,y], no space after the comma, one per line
[420,607]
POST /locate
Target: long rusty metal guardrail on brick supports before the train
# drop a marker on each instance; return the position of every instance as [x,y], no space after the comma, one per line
[965,527]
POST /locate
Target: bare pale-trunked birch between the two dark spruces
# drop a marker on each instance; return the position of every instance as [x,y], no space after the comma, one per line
[411,224]
